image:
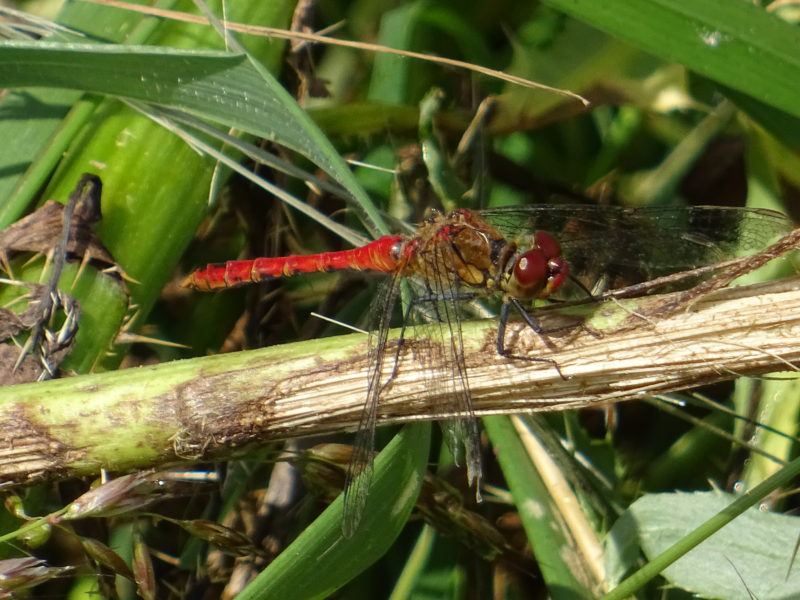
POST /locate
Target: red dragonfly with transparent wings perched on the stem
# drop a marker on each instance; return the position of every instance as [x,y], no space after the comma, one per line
[519,255]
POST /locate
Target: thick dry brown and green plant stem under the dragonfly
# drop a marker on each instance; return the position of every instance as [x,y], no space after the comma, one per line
[217,407]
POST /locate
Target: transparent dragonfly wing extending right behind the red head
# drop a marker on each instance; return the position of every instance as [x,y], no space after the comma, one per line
[632,245]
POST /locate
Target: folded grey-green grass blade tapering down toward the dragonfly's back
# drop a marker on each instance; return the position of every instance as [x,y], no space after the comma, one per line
[227,88]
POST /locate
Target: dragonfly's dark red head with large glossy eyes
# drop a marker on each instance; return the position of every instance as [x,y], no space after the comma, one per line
[538,272]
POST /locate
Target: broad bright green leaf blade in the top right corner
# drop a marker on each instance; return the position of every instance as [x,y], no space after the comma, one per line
[737,44]
